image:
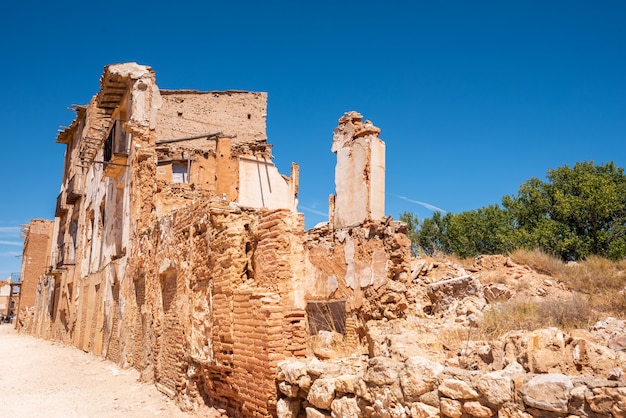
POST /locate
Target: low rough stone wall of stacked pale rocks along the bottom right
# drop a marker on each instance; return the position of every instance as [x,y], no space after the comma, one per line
[421,388]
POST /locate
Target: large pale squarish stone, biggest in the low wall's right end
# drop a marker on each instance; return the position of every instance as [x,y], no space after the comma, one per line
[548,392]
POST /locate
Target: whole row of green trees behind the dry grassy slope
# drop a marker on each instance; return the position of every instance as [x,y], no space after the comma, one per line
[577,212]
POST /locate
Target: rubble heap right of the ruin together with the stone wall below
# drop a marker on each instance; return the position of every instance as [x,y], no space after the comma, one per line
[422,365]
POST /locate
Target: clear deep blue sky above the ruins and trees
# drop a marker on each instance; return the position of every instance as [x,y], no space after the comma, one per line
[473,98]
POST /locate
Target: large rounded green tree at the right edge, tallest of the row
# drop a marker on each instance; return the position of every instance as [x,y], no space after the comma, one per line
[578,211]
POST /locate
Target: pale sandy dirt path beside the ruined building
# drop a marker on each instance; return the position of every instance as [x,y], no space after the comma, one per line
[44,379]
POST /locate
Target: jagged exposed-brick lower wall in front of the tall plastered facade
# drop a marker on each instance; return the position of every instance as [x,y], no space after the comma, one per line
[214,306]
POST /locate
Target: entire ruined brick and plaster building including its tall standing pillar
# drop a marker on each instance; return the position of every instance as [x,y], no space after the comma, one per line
[178,248]
